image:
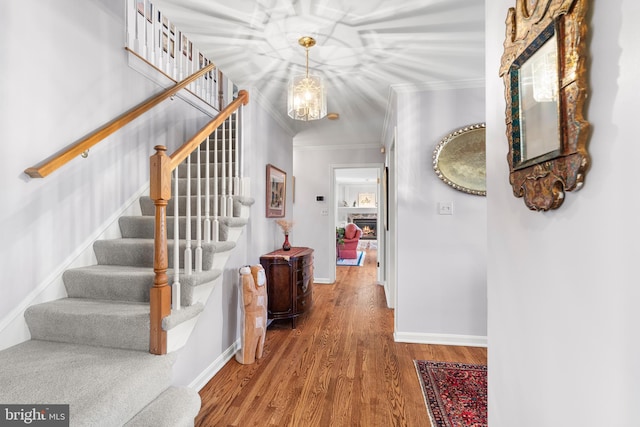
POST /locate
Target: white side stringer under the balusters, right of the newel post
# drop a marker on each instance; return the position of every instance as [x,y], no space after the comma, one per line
[179,330]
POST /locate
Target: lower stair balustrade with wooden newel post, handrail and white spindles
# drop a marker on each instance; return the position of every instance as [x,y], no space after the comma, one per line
[162,296]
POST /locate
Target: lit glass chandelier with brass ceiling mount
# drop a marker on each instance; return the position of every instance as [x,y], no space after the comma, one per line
[307,98]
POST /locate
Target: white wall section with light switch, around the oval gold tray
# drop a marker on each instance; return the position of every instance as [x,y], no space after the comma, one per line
[441,290]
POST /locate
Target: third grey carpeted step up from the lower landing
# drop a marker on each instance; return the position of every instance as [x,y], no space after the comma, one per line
[140,253]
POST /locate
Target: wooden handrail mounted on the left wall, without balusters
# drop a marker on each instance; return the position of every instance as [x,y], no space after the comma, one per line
[59,159]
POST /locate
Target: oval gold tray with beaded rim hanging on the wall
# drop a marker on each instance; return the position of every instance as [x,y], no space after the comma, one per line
[460,159]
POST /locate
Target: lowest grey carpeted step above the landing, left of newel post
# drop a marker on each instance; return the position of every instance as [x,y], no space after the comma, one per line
[92,322]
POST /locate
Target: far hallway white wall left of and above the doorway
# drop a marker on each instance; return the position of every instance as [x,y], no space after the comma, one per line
[312,169]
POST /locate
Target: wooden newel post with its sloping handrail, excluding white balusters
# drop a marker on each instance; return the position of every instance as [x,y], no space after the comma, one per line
[161,167]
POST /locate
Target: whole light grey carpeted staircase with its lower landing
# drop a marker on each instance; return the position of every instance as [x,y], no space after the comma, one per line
[91,349]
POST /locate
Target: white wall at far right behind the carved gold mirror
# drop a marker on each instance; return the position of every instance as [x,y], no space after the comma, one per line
[562,286]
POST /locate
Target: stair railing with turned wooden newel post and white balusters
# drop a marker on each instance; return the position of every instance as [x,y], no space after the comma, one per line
[161,168]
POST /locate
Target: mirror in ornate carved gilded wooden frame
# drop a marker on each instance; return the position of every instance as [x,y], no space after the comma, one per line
[545,49]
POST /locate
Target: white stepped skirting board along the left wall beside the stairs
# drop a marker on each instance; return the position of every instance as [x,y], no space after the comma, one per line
[13,328]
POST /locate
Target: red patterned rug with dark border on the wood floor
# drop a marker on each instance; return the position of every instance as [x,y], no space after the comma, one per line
[455,393]
